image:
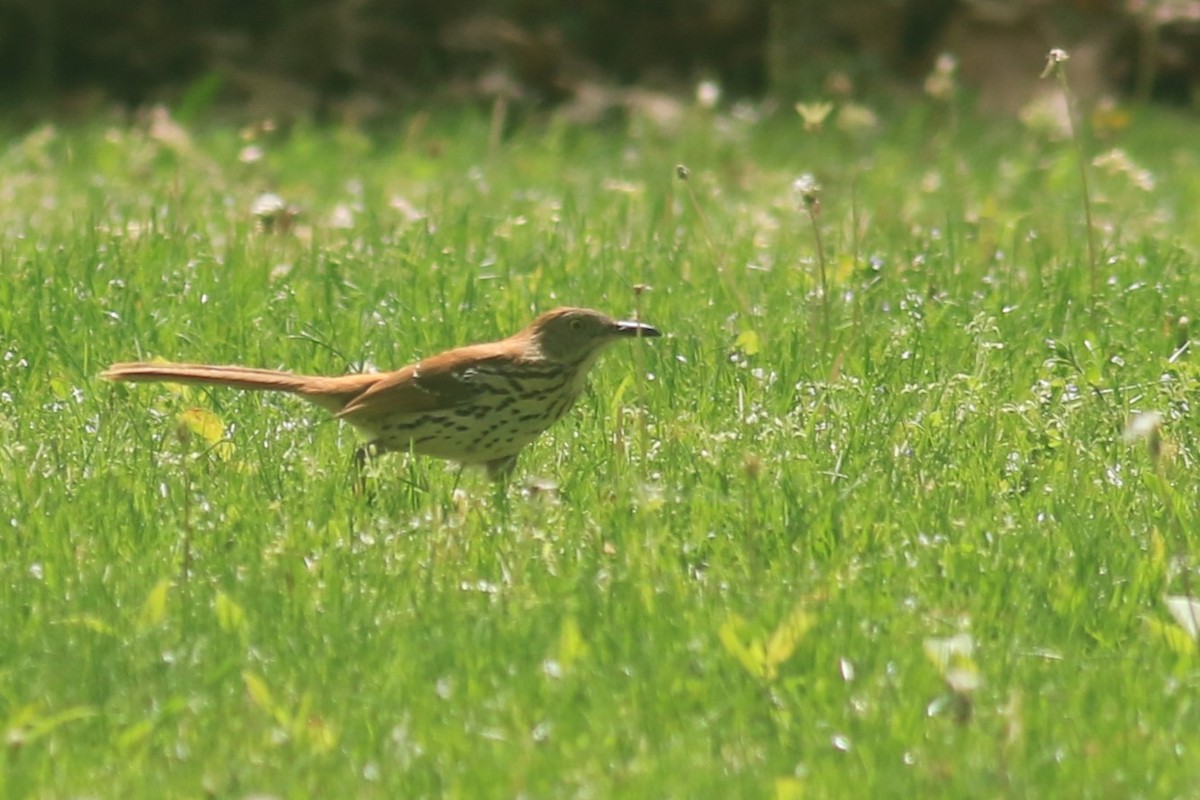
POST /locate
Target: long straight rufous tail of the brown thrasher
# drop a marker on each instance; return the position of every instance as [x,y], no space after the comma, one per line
[332,394]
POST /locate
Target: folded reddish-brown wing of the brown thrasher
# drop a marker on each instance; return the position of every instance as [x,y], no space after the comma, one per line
[436,384]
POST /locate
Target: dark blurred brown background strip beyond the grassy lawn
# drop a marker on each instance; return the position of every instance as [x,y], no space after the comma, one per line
[355,59]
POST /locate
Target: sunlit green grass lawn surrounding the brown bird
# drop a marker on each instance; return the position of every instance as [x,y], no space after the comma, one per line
[757,532]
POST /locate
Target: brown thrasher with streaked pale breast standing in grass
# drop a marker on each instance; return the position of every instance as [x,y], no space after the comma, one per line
[479,404]
